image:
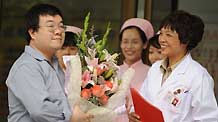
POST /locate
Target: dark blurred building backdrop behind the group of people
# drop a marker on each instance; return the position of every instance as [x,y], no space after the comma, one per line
[104,11]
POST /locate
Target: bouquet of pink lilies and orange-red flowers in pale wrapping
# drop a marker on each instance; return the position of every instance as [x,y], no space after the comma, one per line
[92,77]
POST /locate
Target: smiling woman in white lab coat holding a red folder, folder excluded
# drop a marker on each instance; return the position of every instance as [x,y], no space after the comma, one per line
[179,86]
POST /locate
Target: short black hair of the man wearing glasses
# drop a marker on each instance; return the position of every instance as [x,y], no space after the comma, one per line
[32,16]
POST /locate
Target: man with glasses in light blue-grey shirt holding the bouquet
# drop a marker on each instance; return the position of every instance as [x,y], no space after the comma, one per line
[36,81]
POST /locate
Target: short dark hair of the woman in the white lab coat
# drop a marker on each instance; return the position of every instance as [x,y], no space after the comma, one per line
[186,25]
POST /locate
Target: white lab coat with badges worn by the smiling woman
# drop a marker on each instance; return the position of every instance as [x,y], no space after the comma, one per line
[195,102]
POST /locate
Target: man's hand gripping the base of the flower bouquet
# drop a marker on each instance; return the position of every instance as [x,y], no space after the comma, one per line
[79,116]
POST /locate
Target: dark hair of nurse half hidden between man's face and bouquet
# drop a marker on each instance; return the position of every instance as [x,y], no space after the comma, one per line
[70,39]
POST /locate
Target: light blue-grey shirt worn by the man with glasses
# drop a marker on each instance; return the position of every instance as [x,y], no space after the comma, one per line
[36,90]
